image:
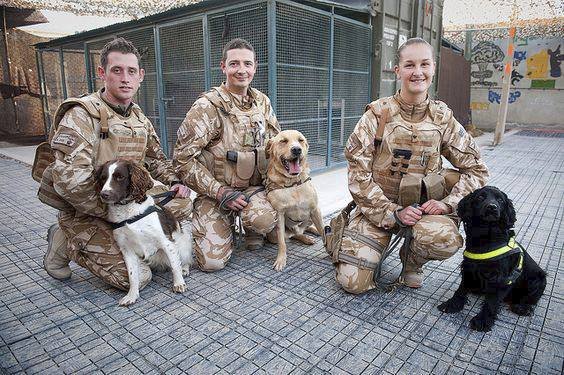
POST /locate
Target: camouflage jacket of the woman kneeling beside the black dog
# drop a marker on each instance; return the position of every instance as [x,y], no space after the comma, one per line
[372,181]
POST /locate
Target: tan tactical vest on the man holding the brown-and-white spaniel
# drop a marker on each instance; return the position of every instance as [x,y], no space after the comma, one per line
[114,137]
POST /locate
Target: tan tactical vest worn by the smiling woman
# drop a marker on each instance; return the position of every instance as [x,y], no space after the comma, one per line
[407,162]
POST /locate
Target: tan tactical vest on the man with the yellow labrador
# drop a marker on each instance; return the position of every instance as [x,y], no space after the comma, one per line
[236,157]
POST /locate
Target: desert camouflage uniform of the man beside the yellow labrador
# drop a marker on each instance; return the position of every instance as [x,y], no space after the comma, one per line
[220,121]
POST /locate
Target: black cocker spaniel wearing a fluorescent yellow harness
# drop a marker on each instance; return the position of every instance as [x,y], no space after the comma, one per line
[494,264]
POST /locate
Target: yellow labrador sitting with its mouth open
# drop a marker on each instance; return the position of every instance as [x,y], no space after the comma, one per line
[290,191]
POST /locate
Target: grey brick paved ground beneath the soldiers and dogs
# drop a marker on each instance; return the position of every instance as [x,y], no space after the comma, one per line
[249,318]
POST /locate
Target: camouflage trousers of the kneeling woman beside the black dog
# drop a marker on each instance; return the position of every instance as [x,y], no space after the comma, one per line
[435,237]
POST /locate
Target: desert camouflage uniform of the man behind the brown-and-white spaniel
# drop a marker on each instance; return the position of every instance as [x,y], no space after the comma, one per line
[89,237]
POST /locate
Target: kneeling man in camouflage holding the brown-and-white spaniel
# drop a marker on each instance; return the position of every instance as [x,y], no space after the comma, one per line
[87,132]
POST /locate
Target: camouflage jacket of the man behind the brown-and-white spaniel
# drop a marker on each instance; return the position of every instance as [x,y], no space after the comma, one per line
[73,145]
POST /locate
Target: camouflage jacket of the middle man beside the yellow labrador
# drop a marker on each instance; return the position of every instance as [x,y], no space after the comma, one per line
[217,122]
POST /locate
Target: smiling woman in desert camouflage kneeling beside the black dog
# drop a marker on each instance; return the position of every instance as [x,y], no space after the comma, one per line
[396,176]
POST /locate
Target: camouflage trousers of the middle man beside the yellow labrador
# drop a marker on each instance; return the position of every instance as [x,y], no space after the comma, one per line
[212,227]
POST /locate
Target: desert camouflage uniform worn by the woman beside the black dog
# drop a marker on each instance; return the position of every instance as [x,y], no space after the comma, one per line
[427,131]
